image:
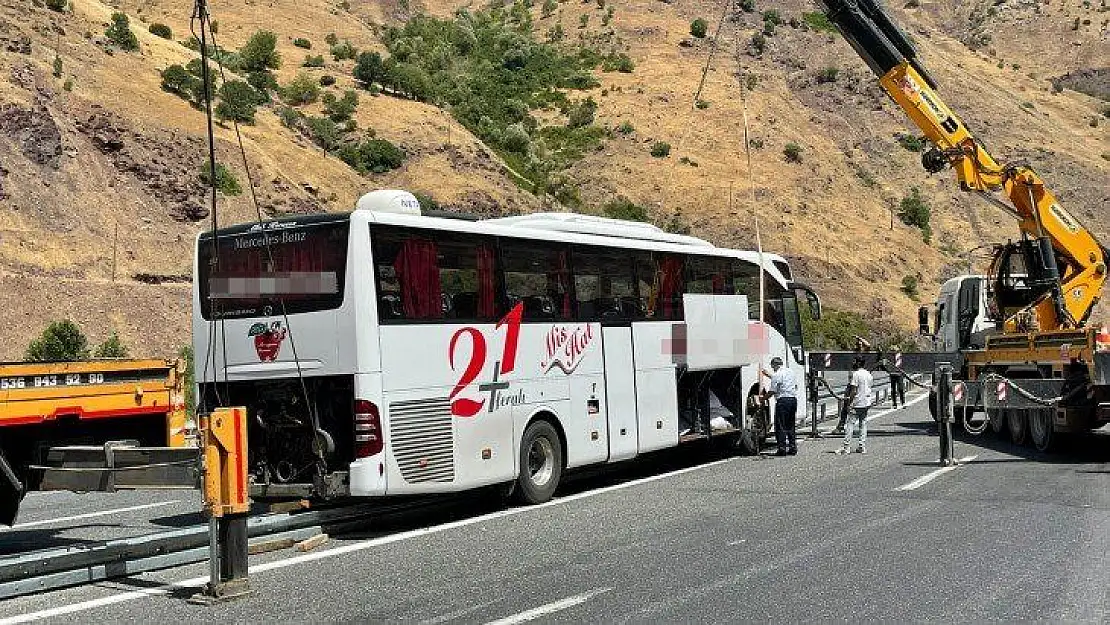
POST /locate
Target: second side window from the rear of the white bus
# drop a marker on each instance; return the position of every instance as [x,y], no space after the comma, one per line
[539,276]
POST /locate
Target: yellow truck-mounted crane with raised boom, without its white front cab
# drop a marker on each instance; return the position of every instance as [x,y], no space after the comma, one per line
[1042,289]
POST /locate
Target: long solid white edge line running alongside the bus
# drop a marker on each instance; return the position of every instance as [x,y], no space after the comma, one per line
[362,546]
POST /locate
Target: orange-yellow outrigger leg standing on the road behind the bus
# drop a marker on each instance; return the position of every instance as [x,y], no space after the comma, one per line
[227,503]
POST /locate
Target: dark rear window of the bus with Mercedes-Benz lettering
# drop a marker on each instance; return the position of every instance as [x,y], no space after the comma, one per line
[297,265]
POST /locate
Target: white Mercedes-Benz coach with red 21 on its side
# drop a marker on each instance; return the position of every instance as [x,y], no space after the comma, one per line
[382,352]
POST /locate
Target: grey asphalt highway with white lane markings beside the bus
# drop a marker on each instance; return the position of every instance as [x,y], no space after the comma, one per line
[705,537]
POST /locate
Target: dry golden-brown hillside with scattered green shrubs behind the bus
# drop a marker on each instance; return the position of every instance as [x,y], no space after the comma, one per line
[100,196]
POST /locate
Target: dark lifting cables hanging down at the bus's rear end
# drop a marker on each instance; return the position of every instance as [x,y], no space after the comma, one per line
[204,17]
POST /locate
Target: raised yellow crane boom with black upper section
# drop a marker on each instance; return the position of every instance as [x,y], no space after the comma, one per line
[1065,266]
